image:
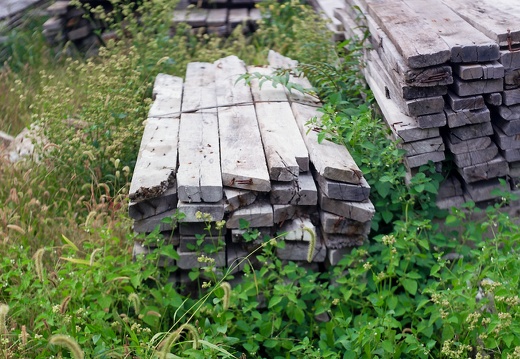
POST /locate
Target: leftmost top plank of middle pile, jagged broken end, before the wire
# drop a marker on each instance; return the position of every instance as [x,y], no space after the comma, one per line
[156,164]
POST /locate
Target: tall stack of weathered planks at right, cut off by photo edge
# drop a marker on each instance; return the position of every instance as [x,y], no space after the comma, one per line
[445,74]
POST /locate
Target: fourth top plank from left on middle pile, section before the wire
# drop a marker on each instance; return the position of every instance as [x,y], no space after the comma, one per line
[283,145]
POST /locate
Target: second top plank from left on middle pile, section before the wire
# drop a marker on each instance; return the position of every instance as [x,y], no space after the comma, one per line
[199,176]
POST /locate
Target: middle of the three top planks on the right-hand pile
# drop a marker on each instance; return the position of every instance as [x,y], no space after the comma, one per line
[465,44]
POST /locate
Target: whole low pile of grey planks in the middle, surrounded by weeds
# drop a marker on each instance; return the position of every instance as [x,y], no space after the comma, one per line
[216,147]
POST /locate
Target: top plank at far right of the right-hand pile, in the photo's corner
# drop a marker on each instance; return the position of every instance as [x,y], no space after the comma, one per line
[496,19]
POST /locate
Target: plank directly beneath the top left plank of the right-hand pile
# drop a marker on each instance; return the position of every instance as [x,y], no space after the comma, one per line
[398,69]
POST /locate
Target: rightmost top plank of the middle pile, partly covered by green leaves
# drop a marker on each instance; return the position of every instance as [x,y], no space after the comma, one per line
[331,160]
